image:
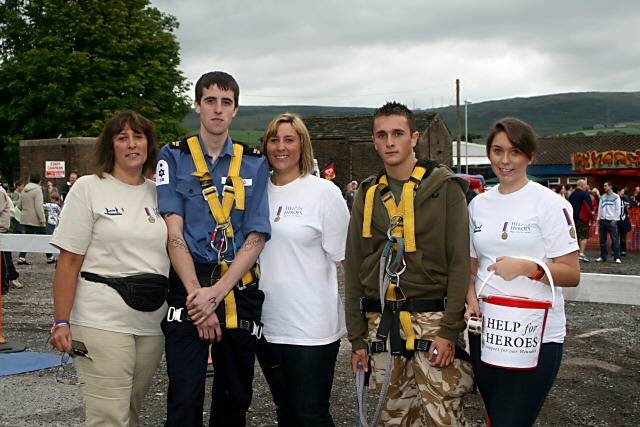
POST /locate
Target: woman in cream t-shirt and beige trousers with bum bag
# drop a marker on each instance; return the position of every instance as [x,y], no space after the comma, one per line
[113,242]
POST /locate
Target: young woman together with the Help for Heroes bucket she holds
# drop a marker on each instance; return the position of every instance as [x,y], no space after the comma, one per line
[521,233]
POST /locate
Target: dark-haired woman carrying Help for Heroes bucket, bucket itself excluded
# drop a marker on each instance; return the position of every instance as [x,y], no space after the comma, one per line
[519,218]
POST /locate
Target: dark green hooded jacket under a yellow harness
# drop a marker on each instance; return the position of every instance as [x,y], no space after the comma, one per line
[440,266]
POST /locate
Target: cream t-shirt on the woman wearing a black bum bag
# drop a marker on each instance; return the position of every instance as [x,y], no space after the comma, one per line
[117,228]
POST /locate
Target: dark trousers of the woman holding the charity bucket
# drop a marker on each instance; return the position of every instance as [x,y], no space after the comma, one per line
[515,398]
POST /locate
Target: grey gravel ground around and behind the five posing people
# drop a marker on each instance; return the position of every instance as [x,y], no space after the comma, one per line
[598,384]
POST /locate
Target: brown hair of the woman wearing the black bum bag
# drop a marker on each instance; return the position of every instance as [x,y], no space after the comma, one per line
[103,154]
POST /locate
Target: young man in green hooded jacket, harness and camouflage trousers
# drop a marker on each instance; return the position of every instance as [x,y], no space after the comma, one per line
[407,241]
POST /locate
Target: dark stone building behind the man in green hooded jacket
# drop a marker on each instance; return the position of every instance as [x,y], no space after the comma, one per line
[347,142]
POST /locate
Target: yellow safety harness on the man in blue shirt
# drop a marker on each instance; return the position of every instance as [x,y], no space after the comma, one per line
[234,194]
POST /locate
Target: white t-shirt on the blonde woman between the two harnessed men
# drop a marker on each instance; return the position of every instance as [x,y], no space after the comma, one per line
[309,220]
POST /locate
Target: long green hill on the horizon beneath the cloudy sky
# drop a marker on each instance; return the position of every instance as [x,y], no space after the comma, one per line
[549,114]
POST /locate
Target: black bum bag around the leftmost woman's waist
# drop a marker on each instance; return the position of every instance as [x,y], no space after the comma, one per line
[142,292]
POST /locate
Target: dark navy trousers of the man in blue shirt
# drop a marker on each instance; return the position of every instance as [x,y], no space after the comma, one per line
[186,354]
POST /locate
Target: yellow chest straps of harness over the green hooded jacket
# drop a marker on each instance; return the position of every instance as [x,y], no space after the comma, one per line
[404,211]
